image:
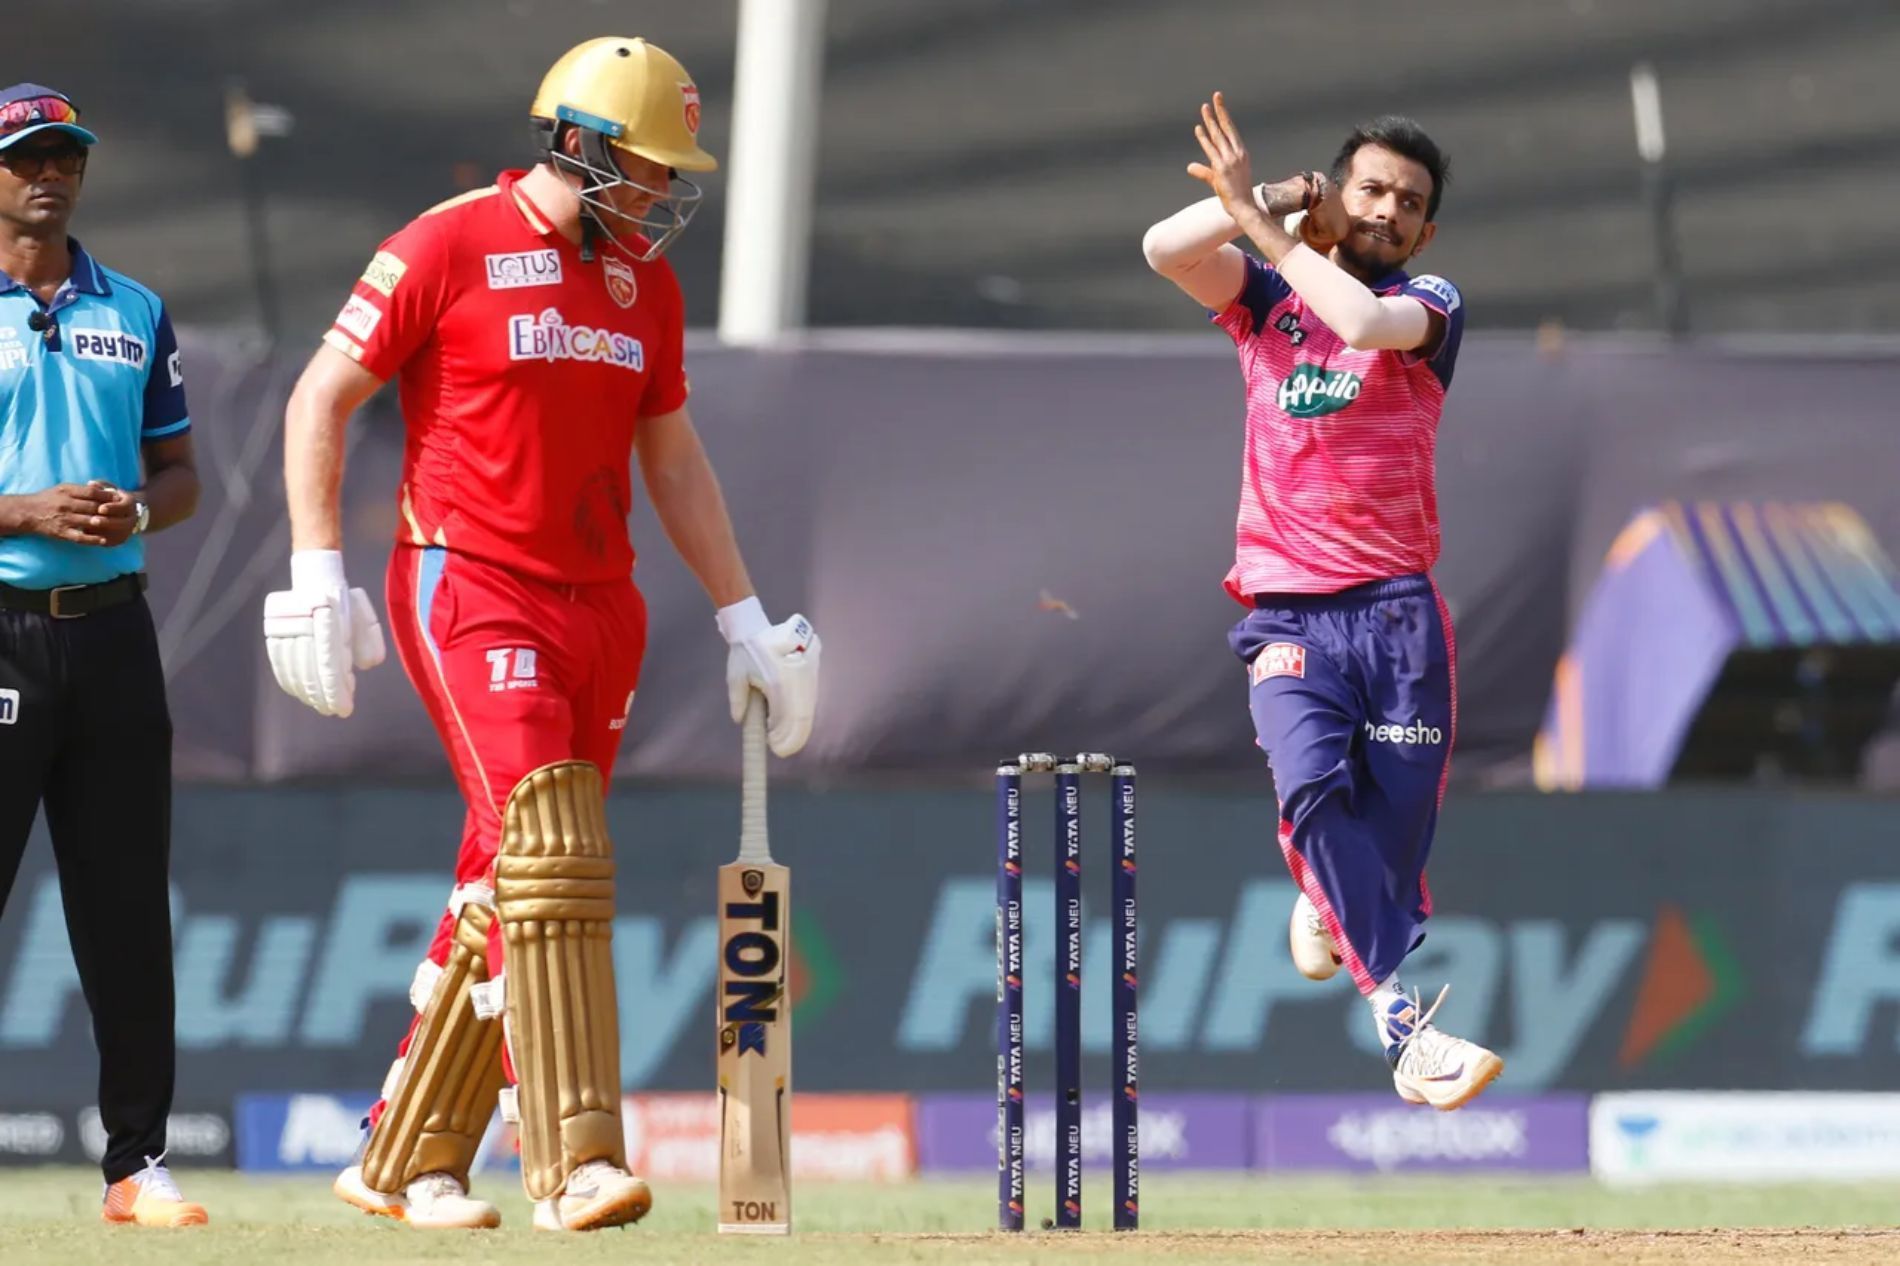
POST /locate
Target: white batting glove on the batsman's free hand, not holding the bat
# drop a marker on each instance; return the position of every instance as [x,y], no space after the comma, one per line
[320,632]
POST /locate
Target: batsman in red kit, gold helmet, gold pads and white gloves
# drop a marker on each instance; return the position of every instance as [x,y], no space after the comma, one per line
[537,337]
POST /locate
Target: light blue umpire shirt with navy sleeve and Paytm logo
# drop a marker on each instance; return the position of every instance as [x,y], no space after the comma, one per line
[77,400]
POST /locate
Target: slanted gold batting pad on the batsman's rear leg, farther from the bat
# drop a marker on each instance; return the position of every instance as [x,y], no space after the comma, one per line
[451,1077]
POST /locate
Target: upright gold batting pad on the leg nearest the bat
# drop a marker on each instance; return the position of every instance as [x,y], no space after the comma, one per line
[556,892]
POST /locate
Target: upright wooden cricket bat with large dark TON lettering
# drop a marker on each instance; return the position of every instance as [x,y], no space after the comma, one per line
[755,1016]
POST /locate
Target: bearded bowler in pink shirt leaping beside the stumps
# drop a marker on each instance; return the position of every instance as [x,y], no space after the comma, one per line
[1352,662]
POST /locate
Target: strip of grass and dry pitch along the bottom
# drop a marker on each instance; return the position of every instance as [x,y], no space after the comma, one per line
[50,1216]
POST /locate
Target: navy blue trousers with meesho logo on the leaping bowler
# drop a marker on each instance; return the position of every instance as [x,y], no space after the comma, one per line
[1354,699]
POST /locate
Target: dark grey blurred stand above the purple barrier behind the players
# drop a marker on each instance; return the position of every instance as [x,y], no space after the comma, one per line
[993,163]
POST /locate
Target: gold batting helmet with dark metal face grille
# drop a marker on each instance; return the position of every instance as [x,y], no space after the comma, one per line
[624,94]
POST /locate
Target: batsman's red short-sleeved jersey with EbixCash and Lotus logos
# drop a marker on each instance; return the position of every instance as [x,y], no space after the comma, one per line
[523,374]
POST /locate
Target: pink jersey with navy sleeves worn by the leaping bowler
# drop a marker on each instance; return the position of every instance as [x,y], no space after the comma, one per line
[1337,486]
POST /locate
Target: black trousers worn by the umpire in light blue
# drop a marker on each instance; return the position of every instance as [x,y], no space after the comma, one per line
[90,738]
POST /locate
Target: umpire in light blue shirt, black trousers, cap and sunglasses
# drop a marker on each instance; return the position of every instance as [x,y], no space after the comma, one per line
[96,451]
